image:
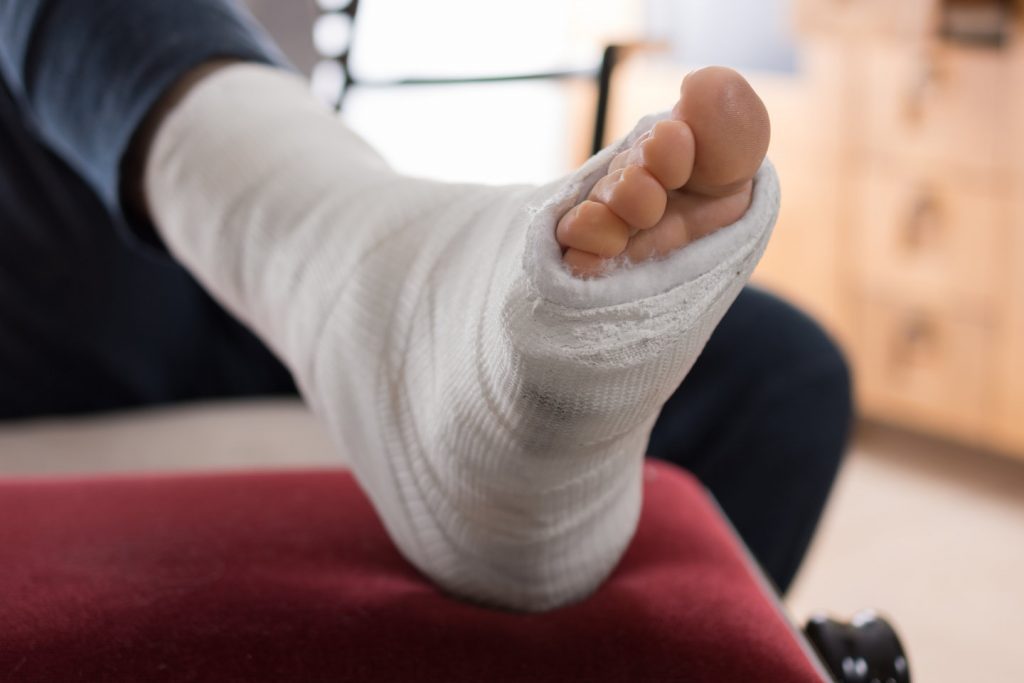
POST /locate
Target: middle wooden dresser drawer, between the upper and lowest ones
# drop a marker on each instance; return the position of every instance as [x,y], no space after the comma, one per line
[932,234]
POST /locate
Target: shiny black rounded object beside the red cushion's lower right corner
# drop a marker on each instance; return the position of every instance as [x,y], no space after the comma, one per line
[865,651]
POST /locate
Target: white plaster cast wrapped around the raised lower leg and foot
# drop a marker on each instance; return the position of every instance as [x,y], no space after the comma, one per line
[494,408]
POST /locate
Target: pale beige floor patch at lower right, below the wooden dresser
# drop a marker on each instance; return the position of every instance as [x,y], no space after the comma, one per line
[933,537]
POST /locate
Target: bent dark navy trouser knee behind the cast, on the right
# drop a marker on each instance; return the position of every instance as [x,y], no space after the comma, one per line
[764,426]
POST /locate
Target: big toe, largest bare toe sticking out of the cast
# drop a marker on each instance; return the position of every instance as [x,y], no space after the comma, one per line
[731,127]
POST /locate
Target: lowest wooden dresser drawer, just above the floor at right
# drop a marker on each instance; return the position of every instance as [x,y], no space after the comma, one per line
[920,367]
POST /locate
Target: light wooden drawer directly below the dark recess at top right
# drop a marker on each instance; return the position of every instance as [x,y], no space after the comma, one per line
[937,105]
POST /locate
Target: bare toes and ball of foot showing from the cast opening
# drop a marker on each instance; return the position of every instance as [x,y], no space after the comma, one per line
[685,179]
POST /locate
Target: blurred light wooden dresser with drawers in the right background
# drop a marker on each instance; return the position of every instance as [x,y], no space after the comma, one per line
[904,224]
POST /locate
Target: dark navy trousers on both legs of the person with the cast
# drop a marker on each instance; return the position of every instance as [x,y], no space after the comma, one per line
[95,316]
